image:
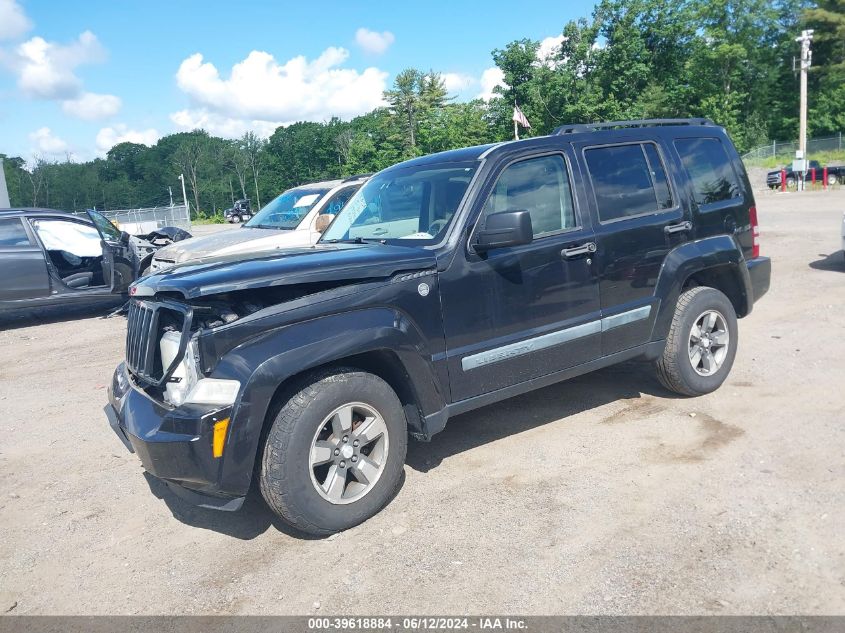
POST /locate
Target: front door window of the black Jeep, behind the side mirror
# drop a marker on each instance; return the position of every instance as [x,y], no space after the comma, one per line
[540,186]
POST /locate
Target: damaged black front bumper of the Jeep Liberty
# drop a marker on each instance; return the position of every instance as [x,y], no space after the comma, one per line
[173,444]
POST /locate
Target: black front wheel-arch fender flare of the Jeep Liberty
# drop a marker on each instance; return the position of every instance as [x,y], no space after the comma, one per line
[265,362]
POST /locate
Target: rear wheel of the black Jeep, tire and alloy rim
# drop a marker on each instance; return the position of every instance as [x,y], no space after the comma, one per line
[701,345]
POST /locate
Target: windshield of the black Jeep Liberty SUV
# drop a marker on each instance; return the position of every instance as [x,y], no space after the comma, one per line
[416,203]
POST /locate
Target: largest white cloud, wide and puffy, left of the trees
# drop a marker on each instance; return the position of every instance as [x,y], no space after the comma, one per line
[261,91]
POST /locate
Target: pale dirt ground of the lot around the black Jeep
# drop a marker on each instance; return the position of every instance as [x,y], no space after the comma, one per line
[600,495]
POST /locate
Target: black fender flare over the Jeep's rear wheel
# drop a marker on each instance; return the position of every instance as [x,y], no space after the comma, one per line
[694,257]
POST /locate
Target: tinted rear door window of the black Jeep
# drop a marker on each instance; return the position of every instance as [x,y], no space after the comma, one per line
[628,180]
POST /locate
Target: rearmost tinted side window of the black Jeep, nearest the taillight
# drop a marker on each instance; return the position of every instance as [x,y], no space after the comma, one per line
[709,169]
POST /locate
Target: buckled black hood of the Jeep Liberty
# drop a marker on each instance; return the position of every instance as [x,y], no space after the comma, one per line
[321,263]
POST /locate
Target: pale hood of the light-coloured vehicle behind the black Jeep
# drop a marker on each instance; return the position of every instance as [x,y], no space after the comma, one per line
[243,240]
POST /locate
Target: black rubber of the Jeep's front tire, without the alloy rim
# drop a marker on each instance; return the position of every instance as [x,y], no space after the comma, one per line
[285,478]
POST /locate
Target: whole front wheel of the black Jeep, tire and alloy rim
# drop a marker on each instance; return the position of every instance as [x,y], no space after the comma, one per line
[335,452]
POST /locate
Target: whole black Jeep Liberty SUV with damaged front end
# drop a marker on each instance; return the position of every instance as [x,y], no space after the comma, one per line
[448,282]
